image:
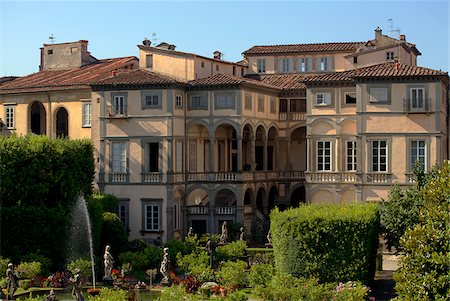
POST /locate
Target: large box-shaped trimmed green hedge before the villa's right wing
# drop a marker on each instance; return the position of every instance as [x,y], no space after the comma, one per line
[329,242]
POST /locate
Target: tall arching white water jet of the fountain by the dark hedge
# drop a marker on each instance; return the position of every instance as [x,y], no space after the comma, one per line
[80,233]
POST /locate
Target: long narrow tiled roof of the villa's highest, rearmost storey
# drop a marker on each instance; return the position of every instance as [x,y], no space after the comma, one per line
[299,48]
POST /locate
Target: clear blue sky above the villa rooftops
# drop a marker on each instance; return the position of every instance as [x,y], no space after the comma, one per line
[114,28]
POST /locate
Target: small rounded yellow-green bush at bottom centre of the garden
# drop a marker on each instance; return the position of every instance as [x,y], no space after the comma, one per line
[233,274]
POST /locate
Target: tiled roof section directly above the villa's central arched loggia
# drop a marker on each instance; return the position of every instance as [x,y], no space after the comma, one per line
[229,80]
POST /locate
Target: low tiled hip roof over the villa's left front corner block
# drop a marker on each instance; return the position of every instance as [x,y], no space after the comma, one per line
[136,77]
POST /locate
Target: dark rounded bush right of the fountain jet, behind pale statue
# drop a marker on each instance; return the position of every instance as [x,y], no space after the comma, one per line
[113,234]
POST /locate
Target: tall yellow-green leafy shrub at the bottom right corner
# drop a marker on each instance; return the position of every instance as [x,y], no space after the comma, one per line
[424,272]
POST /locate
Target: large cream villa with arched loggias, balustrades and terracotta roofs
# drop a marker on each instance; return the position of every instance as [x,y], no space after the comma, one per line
[185,140]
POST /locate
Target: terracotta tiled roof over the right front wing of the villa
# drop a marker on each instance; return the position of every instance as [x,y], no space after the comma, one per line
[385,70]
